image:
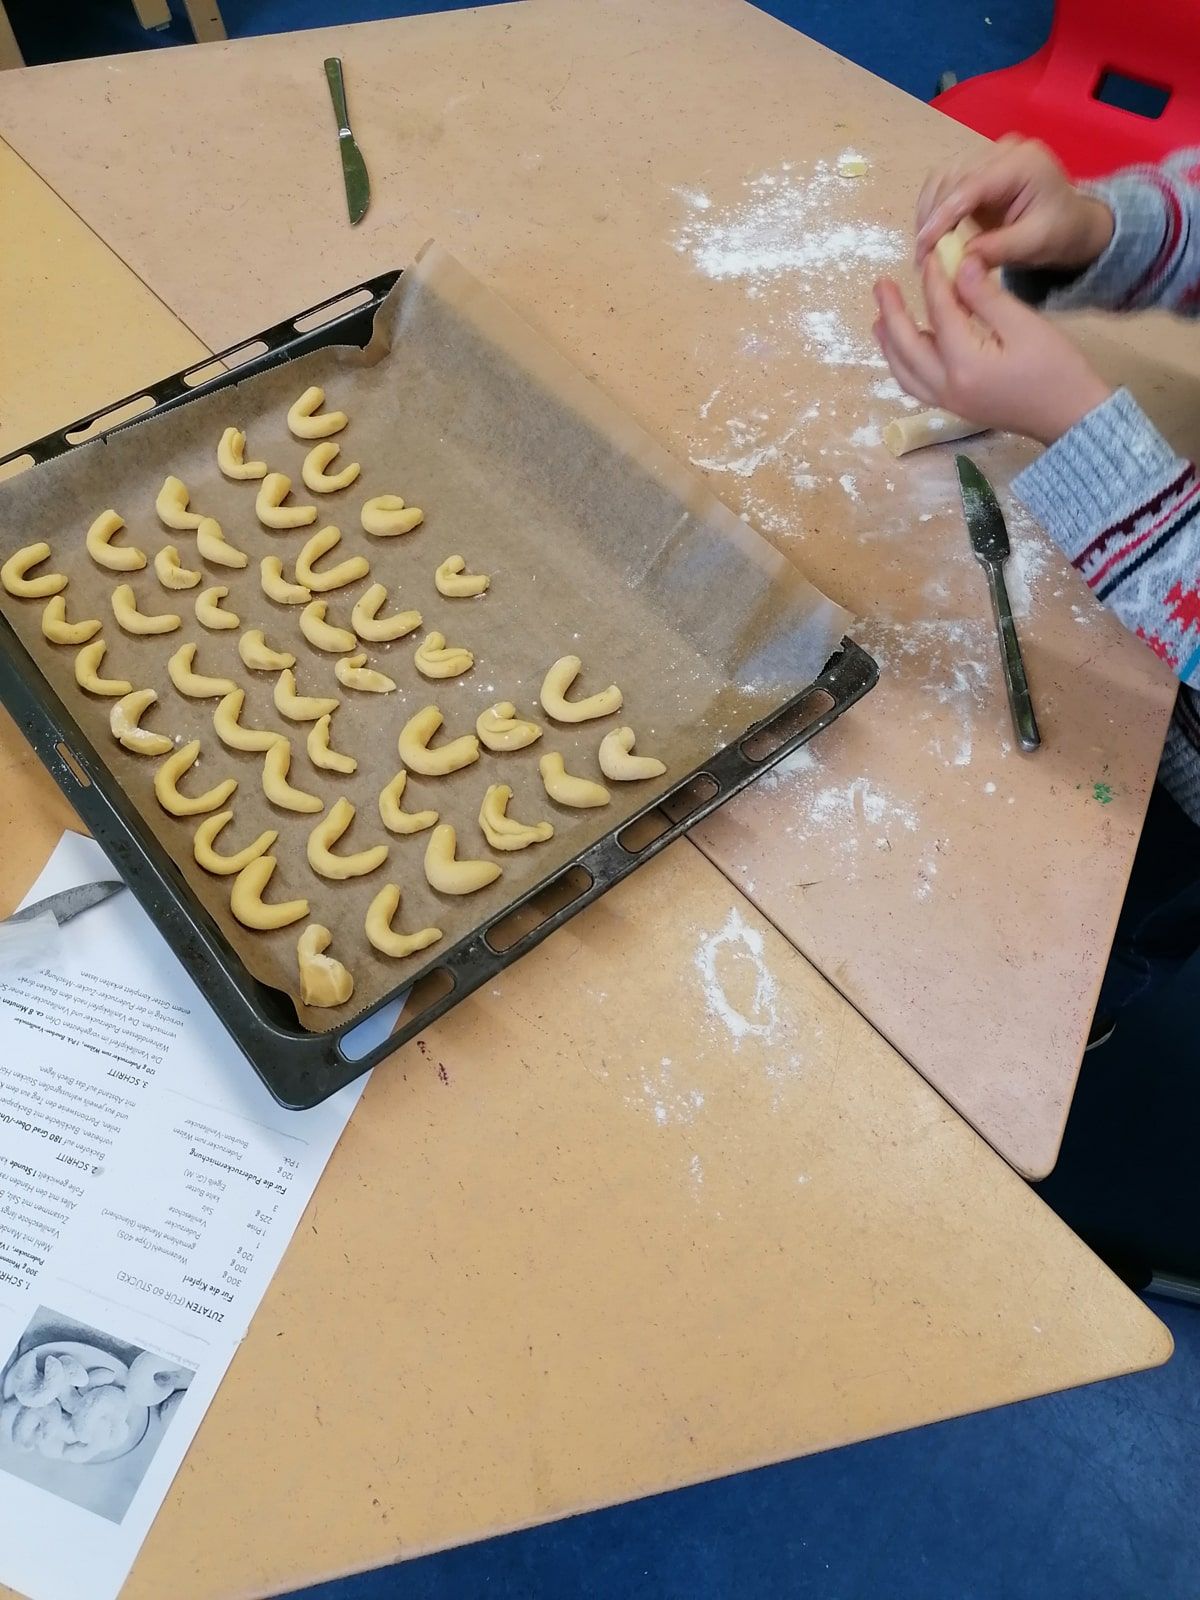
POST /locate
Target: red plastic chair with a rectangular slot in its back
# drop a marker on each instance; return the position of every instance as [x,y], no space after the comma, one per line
[1052,97]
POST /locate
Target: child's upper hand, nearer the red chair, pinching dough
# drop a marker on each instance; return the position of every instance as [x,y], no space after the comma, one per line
[1028,207]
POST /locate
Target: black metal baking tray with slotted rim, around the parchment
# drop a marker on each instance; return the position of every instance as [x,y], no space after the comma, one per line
[297,1066]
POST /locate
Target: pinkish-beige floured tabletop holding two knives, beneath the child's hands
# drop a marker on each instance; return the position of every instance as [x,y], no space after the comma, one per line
[598,164]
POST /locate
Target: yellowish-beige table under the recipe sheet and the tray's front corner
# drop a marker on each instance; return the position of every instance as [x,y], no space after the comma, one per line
[657,1207]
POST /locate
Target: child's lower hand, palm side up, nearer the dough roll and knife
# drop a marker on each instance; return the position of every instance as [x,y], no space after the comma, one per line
[986,356]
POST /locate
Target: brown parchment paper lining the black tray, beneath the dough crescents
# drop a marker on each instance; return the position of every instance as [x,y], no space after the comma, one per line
[598,543]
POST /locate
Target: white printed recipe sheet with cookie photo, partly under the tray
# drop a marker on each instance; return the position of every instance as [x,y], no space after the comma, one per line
[148,1191]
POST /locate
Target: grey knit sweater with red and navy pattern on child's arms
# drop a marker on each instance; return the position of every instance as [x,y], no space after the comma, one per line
[1113,494]
